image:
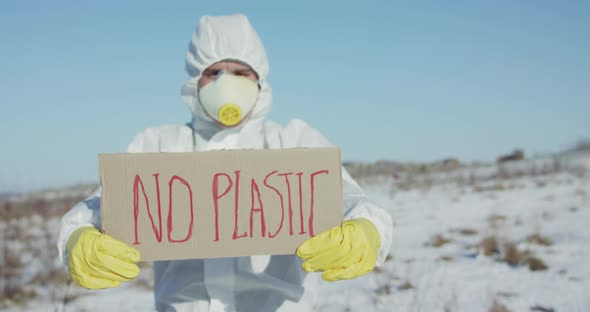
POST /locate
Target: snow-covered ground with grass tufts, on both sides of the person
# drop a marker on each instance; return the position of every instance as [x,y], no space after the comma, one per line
[535,230]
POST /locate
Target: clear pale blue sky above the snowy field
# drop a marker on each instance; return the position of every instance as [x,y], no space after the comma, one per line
[392,80]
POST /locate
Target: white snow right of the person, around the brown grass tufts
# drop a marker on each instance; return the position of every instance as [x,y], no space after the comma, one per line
[471,281]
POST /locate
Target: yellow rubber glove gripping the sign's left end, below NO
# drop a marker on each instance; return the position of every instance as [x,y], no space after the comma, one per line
[99,261]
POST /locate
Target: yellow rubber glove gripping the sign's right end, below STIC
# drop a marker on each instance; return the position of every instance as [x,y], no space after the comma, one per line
[343,252]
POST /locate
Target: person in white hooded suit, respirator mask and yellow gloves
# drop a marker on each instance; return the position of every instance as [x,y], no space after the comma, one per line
[227,64]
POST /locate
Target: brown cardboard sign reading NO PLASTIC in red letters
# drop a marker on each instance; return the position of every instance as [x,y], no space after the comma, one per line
[220,203]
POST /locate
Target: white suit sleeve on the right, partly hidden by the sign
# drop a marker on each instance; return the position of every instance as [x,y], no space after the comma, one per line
[356,204]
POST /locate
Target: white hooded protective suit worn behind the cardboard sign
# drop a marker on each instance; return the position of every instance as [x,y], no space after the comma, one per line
[258,283]
